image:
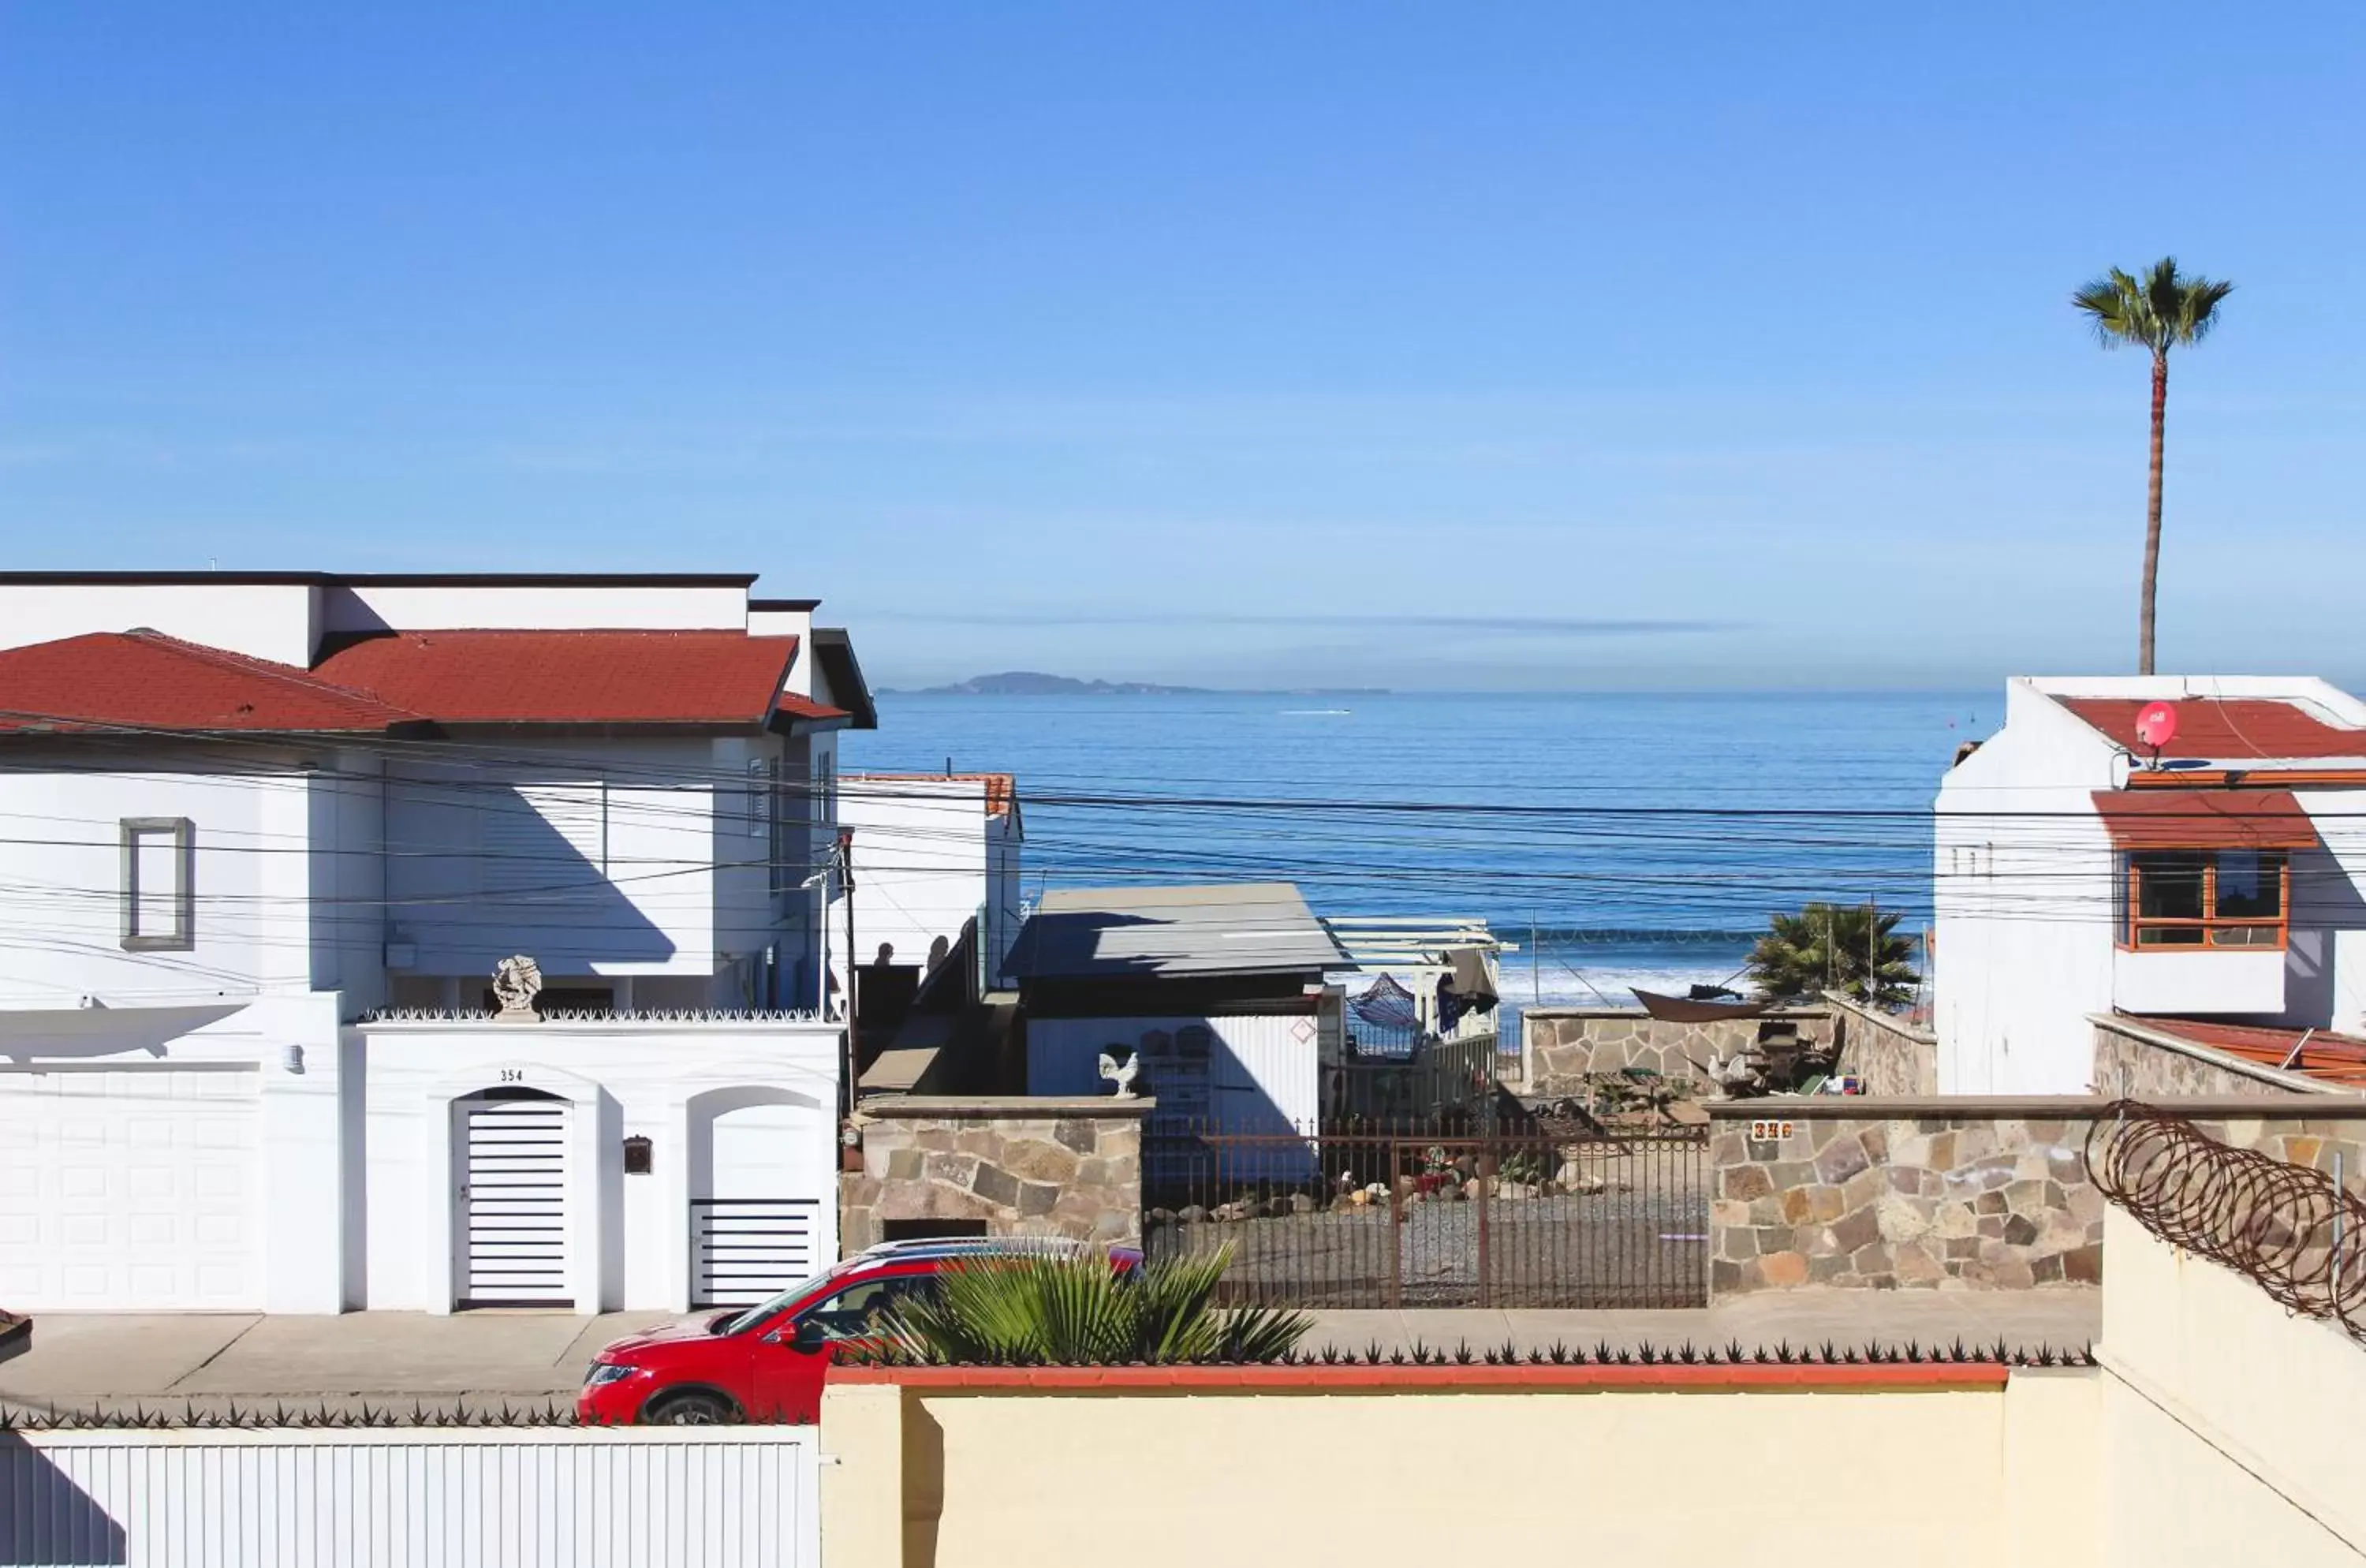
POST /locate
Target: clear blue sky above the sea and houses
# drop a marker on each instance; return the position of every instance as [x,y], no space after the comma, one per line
[1229,344]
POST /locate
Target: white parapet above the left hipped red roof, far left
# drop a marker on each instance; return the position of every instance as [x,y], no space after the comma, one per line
[261,621]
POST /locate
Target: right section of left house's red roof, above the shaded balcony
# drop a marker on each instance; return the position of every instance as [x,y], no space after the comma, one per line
[569,678]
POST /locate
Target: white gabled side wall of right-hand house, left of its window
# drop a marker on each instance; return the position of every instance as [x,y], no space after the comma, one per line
[2024,907]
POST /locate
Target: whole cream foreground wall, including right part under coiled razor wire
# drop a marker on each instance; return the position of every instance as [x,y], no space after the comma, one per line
[2218,1432]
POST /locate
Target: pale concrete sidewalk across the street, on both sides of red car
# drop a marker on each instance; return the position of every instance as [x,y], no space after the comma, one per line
[209,1361]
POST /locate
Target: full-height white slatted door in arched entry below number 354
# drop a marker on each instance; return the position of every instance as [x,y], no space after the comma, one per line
[512,1224]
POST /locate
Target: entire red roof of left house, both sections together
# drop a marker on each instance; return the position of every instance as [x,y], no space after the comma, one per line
[150,682]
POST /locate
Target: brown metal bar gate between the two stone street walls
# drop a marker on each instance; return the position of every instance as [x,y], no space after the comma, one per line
[1411,1219]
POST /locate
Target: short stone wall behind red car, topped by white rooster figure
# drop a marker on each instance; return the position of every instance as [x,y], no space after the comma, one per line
[1026,1167]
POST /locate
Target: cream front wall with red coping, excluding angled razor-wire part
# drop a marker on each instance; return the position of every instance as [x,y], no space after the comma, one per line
[1310,1465]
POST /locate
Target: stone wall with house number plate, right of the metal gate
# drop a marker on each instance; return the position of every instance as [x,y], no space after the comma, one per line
[1960,1193]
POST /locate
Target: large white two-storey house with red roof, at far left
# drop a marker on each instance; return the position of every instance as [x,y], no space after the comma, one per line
[264,838]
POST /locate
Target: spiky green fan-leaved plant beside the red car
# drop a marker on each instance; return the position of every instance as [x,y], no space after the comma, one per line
[1073,1309]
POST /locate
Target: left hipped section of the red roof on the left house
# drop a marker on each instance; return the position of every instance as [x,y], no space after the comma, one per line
[153,682]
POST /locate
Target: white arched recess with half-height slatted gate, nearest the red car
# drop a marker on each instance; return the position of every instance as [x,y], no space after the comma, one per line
[770,1212]
